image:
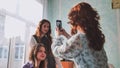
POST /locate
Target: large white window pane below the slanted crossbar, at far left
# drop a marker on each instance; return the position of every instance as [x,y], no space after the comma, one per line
[14,27]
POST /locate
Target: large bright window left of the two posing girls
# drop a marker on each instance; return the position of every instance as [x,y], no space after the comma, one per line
[21,18]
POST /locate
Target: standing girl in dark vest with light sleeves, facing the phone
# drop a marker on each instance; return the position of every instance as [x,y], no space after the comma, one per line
[43,35]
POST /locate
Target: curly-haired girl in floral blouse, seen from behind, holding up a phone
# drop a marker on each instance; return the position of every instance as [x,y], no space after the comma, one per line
[86,45]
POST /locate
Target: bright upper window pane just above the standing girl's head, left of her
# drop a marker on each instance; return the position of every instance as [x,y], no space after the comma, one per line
[32,11]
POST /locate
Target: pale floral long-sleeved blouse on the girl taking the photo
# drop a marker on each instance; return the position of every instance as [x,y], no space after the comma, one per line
[77,49]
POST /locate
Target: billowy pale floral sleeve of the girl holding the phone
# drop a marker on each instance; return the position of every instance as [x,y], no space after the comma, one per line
[67,48]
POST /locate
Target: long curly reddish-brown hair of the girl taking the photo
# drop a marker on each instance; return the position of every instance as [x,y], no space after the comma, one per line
[88,19]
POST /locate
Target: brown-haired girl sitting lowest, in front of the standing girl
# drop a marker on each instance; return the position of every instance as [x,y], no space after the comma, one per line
[37,57]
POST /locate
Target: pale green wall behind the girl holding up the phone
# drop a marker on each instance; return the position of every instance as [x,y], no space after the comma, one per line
[58,9]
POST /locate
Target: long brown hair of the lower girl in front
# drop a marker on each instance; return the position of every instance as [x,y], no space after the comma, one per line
[33,55]
